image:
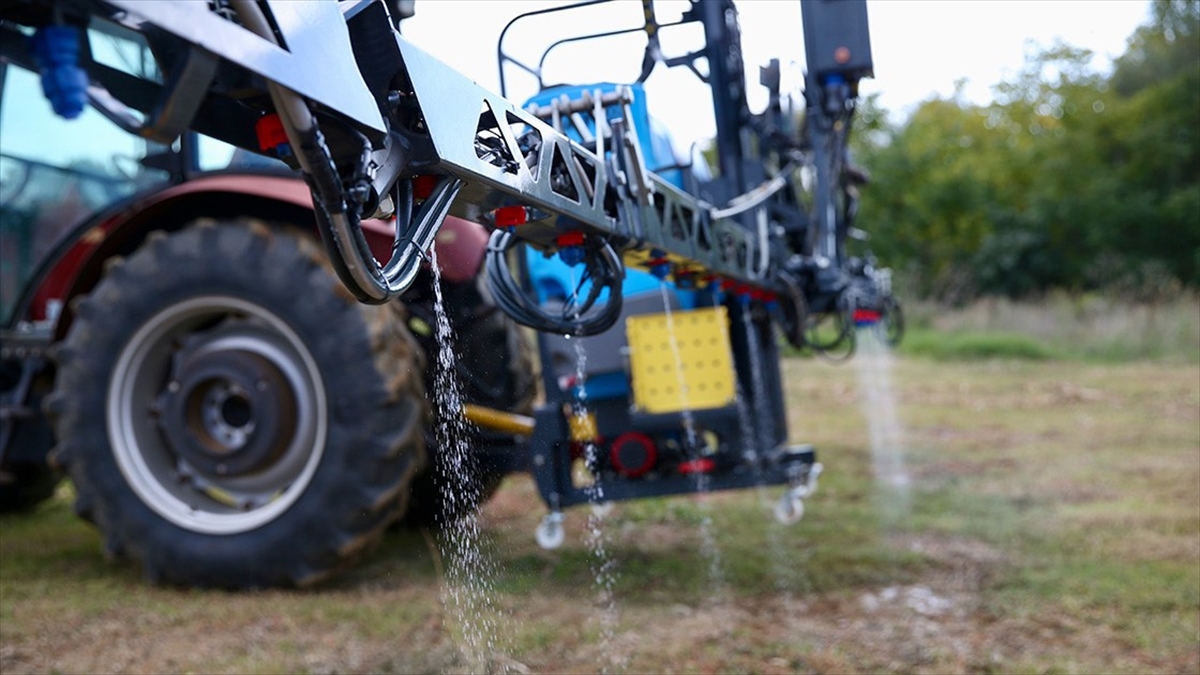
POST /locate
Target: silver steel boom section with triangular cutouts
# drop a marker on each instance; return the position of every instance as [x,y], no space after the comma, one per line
[530,164]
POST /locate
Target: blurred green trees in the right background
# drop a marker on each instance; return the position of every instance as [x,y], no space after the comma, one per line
[1069,181]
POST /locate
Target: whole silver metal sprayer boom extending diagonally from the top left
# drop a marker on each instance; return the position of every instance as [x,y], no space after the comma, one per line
[363,112]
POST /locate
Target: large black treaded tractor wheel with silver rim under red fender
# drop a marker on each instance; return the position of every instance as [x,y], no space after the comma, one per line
[231,416]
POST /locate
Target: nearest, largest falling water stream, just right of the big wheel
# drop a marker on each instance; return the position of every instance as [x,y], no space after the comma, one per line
[470,588]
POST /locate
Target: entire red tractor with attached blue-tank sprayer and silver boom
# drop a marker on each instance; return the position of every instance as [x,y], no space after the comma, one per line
[231,365]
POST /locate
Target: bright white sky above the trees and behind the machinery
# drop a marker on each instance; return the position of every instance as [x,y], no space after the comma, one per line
[920,47]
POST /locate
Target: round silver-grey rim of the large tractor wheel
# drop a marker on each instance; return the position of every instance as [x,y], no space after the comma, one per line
[217,415]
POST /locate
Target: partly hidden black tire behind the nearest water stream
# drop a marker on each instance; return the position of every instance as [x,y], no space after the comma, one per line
[494,368]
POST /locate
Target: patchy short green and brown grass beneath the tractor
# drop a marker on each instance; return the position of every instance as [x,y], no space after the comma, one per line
[1054,509]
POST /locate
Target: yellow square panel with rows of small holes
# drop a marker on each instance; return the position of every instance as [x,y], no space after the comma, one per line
[688,368]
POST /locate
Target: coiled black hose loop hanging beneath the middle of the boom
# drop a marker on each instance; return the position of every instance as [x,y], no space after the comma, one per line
[583,320]
